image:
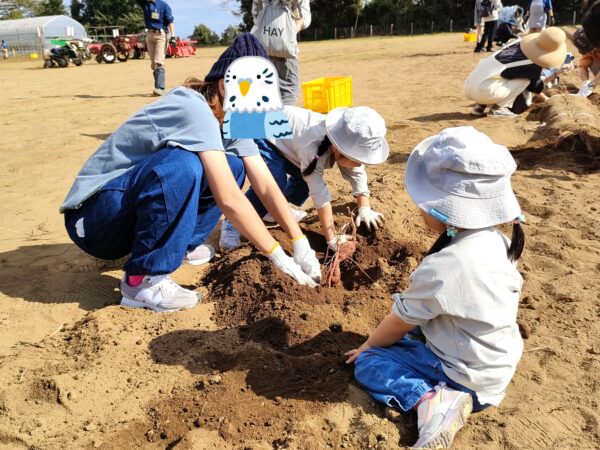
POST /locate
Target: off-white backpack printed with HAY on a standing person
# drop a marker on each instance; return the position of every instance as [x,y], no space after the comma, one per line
[275,28]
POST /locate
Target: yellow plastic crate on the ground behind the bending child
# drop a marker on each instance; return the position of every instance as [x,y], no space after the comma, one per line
[324,94]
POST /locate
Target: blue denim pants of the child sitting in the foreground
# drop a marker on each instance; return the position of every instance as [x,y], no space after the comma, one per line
[401,374]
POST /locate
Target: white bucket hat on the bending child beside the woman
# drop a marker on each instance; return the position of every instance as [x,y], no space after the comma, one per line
[359,134]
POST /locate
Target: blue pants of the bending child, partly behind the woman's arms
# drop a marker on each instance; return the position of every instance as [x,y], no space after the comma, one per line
[287,176]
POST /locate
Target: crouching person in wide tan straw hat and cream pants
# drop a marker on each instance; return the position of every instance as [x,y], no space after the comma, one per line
[507,79]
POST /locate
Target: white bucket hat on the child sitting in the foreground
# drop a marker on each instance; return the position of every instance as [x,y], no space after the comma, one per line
[461,178]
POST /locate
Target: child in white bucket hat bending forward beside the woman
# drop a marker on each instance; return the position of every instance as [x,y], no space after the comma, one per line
[351,137]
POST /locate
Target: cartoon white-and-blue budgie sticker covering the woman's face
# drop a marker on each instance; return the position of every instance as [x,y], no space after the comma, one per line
[253,106]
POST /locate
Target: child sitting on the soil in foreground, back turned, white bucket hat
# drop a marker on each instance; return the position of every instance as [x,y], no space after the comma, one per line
[451,343]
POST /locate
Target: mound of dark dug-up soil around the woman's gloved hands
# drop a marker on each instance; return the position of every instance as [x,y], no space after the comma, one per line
[252,293]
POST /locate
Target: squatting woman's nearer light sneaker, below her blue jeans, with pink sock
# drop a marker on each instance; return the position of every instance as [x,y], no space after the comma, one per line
[158,293]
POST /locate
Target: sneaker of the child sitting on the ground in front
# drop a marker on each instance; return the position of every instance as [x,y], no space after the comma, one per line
[442,416]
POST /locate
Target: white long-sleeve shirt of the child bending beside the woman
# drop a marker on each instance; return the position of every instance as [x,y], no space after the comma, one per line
[309,131]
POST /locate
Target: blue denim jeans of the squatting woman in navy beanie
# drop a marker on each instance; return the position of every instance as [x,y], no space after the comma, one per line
[156,211]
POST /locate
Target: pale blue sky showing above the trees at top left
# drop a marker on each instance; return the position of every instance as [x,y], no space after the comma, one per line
[188,14]
